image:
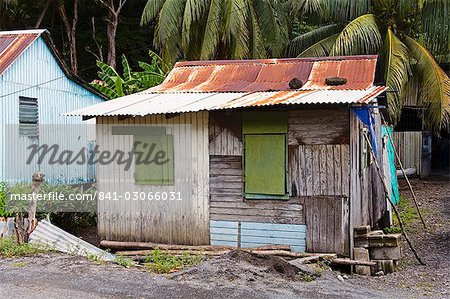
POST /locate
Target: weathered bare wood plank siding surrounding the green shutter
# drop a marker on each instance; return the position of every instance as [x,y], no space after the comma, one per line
[318,176]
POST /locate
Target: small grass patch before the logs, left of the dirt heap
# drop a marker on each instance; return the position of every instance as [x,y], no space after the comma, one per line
[160,262]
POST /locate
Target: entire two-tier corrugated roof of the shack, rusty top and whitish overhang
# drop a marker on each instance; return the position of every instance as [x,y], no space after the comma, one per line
[215,85]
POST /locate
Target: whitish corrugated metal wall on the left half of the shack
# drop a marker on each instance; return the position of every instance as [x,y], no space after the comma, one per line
[183,221]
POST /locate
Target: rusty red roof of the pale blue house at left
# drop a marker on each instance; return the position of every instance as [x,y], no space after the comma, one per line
[13,44]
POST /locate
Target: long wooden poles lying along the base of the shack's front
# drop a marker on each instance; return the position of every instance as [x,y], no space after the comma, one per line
[138,250]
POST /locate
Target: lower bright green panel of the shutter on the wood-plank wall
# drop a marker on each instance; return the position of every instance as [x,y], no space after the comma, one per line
[265,164]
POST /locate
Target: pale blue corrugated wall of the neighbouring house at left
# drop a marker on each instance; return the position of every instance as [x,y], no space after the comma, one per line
[36,74]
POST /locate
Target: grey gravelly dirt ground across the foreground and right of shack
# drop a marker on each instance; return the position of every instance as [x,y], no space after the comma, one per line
[239,275]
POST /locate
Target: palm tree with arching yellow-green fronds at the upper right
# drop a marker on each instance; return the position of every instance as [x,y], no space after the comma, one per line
[406,34]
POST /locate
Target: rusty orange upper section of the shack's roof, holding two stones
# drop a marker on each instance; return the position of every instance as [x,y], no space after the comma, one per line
[269,74]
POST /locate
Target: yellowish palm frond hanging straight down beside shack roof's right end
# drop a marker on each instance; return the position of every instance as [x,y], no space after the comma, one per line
[396,72]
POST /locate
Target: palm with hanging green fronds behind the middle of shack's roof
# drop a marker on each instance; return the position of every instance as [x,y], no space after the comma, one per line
[217,29]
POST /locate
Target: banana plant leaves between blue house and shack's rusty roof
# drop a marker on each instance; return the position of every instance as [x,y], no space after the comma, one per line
[114,85]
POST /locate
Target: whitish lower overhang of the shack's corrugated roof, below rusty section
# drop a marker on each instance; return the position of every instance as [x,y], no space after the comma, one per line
[141,104]
